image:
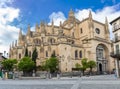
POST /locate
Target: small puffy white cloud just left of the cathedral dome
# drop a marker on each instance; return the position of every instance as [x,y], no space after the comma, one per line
[57,17]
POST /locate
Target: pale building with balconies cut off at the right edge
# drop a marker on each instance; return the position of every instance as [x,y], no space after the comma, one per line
[116,42]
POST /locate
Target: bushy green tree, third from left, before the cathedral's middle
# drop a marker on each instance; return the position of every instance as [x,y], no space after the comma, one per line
[51,64]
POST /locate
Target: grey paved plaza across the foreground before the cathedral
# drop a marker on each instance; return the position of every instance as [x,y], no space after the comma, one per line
[92,82]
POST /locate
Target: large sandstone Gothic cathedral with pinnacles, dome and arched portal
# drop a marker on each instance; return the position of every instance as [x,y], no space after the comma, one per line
[71,41]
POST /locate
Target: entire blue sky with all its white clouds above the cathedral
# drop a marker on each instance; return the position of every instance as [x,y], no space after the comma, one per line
[16,14]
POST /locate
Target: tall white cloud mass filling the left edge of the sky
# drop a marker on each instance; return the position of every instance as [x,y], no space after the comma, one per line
[8,33]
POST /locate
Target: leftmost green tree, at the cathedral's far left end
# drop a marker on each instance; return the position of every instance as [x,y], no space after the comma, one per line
[8,64]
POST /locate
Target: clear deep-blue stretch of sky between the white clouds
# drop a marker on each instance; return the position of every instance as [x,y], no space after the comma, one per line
[33,11]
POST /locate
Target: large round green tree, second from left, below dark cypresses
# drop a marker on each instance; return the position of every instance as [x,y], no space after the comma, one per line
[26,65]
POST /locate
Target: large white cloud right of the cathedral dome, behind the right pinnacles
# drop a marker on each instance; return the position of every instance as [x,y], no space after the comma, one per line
[111,12]
